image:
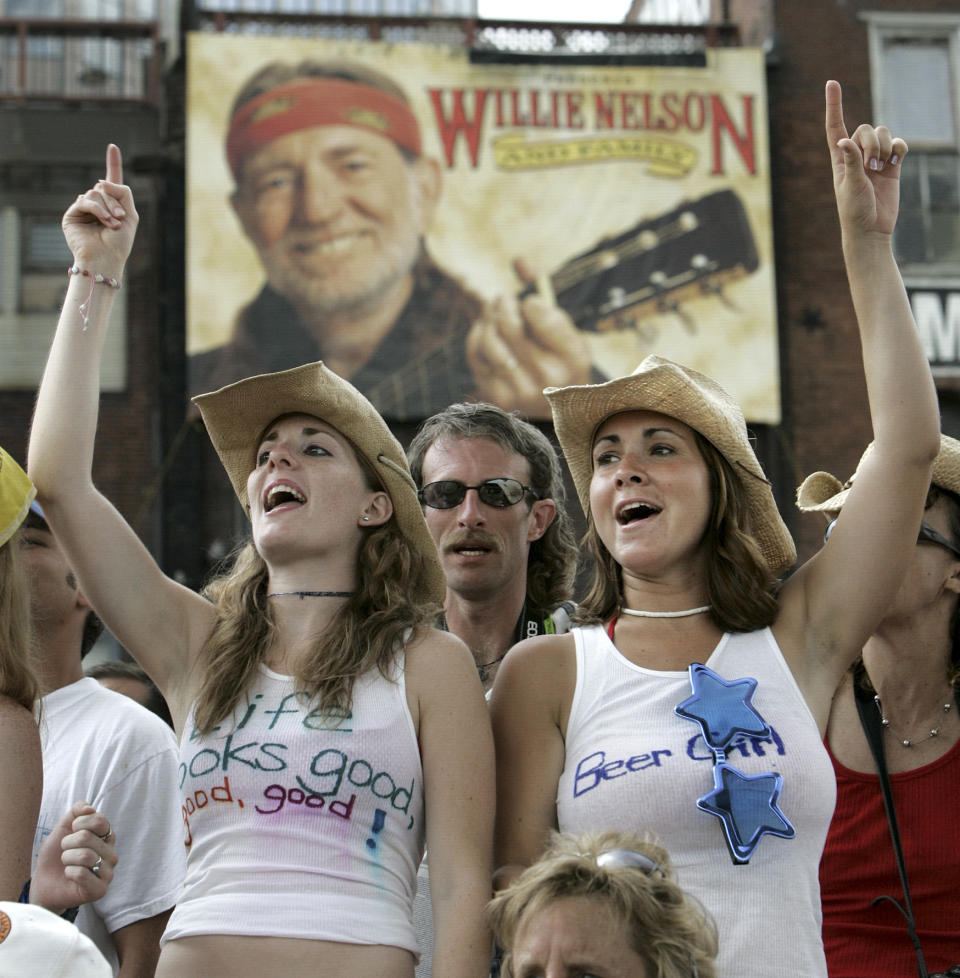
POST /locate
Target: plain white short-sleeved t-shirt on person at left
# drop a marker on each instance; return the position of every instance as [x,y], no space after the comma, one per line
[102,747]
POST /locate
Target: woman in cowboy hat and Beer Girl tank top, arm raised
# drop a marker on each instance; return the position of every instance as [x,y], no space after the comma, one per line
[611,727]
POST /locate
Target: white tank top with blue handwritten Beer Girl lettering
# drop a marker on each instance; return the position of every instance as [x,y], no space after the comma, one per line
[633,764]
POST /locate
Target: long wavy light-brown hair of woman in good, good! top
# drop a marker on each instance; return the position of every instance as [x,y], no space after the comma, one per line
[368,632]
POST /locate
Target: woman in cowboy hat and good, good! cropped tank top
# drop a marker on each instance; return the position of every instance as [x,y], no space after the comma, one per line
[320,716]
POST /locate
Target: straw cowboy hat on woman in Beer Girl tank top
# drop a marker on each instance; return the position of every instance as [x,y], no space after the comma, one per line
[668,388]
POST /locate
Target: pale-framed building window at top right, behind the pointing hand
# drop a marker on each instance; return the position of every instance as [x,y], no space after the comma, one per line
[924,49]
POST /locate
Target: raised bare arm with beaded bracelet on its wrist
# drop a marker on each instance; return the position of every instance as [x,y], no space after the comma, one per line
[161,623]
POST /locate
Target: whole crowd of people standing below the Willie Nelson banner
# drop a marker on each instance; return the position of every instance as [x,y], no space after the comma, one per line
[389,704]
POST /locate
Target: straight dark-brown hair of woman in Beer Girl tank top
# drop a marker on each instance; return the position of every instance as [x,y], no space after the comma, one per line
[740,585]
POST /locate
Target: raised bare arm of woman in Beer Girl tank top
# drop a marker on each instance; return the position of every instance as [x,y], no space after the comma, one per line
[834,603]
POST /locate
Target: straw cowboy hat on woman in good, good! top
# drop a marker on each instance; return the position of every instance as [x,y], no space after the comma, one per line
[236,416]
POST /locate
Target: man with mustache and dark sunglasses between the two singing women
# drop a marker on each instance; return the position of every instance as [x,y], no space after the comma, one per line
[494,501]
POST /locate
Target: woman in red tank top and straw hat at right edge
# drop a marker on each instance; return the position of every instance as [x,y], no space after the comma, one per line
[908,681]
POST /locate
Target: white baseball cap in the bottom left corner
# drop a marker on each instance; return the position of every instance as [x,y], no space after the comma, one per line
[37,943]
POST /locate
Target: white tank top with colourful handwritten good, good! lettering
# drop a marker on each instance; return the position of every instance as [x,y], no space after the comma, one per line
[298,825]
